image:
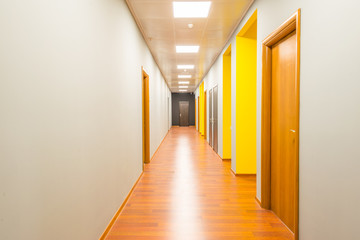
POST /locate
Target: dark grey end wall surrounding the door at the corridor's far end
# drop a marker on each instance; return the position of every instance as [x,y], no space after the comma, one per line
[176,97]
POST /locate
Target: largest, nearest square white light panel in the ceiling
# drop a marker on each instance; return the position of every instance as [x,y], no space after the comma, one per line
[191,9]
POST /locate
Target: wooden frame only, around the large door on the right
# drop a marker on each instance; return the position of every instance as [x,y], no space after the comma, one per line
[290,25]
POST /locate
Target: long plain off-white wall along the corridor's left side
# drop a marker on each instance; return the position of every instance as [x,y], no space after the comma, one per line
[70,115]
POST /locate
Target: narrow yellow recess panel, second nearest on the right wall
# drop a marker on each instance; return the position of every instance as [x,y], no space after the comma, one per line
[227,104]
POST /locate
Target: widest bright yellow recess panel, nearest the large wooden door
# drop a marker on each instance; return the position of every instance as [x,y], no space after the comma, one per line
[246,98]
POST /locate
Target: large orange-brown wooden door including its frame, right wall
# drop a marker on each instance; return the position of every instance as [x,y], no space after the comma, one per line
[280,122]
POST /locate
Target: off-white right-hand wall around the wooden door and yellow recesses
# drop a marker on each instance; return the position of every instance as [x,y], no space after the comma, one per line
[329,111]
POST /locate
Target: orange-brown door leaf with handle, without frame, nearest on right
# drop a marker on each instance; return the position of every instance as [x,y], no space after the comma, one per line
[284,122]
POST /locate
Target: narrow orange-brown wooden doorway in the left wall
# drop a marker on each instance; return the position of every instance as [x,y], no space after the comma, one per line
[145,116]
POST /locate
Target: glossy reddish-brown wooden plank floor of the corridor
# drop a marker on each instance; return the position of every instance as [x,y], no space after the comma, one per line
[188,193]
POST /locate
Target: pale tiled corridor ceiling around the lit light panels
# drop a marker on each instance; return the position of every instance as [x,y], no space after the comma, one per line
[163,32]
